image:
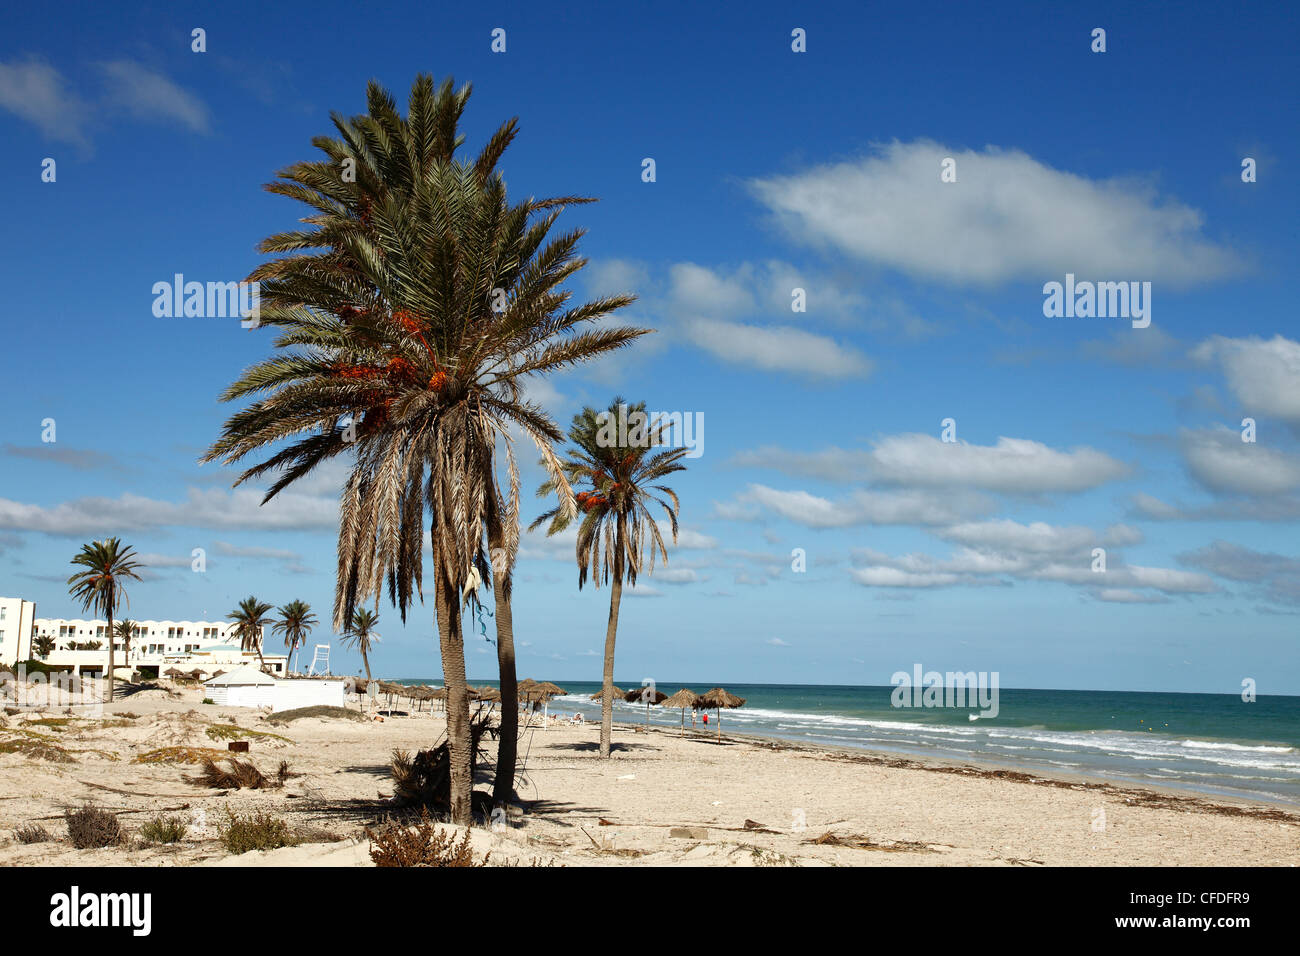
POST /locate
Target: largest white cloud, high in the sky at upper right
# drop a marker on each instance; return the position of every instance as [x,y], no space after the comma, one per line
[1007,217]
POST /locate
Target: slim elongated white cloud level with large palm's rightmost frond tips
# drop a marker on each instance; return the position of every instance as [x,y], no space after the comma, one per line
[779,349]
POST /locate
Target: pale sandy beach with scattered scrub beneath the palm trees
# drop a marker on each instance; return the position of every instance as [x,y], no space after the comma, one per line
[662,801]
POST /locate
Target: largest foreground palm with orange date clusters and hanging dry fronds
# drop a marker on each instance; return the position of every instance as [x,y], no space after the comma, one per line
[411,340]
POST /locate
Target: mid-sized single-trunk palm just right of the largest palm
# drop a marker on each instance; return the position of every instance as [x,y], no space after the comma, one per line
[619,469]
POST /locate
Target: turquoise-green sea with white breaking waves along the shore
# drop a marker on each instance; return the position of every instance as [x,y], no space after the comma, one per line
[1203,743]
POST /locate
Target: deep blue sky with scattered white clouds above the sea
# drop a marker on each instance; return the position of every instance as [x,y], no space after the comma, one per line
[942,456]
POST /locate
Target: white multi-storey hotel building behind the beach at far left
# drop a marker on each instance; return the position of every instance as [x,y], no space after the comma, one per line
[157,646]
